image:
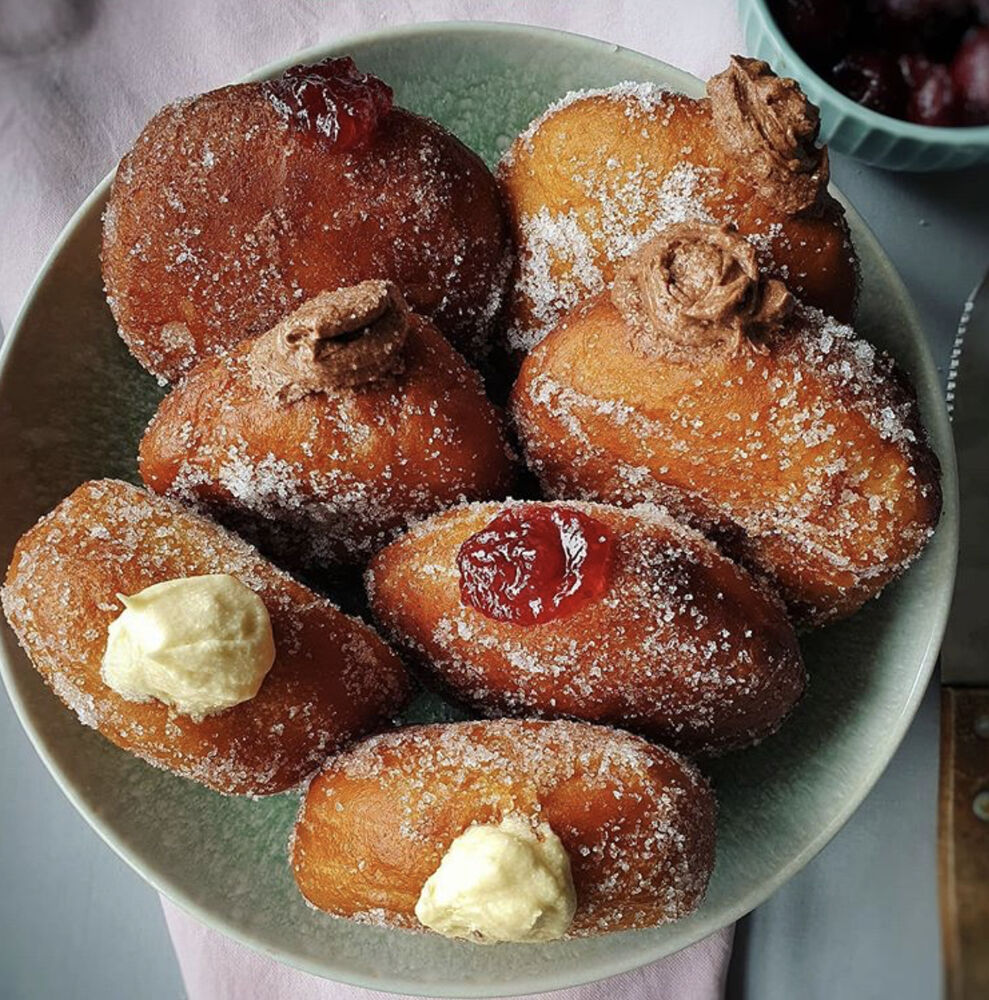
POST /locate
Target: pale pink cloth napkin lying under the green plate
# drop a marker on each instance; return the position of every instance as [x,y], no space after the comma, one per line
[77,82]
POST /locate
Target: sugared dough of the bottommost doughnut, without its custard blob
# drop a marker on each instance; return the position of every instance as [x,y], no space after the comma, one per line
[636,821]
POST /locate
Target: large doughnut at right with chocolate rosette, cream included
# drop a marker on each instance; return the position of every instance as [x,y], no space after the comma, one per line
[701,385]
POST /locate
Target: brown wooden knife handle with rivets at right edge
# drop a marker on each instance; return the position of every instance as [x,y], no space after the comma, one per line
[963,841]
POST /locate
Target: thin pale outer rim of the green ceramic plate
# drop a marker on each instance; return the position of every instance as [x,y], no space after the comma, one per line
[531,982]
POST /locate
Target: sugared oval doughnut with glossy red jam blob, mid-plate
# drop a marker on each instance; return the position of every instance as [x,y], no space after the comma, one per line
[592,612]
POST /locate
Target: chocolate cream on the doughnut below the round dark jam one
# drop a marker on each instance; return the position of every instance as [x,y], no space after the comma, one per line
[336,340]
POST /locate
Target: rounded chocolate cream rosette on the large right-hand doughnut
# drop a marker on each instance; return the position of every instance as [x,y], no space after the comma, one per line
[695,292]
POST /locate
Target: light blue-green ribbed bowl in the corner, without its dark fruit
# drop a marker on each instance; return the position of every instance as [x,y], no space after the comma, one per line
[850,128]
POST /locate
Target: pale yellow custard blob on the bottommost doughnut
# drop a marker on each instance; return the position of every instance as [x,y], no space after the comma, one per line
[505,882]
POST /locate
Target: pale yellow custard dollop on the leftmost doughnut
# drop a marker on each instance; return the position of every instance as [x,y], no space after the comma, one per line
[199,644]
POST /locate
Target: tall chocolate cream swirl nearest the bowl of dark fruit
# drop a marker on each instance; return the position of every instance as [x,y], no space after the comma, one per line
[767,122]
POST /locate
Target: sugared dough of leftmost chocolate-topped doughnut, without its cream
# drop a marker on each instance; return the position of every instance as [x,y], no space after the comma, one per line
[330,477]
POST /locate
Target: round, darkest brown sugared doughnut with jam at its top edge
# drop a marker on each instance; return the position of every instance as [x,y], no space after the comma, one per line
[312,181]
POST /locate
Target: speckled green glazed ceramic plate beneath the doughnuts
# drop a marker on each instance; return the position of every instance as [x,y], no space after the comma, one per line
[73,405]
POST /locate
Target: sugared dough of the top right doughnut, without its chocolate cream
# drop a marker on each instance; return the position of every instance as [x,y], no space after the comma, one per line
[602,171]
